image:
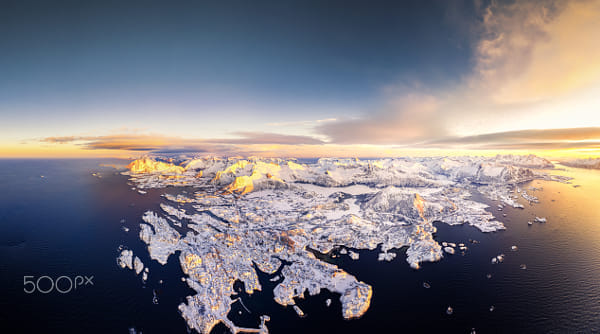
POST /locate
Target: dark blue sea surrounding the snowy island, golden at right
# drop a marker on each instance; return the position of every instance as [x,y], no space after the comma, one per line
[57,219]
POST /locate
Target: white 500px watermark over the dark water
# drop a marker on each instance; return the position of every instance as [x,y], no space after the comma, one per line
[62,284]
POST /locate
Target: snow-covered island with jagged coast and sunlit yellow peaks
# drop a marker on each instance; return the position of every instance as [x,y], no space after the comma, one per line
[274,215]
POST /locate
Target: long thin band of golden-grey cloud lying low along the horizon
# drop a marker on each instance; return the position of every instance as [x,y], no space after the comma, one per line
[268,144]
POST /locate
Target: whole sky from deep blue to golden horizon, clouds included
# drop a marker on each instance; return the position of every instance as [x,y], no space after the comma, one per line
[299,78]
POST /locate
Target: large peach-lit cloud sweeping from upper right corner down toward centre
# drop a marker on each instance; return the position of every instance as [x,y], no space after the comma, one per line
[535,65]
